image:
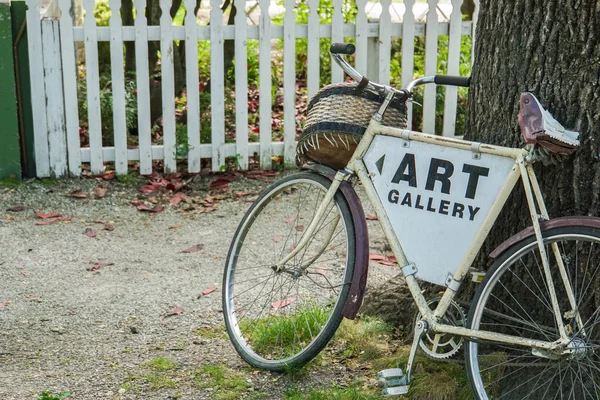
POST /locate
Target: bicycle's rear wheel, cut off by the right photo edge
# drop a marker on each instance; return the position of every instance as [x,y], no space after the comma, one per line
[514,299]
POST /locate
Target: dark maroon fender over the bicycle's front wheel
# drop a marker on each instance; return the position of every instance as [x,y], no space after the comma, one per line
[361,261]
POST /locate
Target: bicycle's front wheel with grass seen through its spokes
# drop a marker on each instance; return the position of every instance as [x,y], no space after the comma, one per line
[280,319]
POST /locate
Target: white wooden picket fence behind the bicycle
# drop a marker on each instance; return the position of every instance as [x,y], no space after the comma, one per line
[52,44]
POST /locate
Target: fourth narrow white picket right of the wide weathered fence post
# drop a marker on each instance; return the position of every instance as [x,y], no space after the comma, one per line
[143,87]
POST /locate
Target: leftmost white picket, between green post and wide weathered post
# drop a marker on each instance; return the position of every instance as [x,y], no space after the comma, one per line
[38,97]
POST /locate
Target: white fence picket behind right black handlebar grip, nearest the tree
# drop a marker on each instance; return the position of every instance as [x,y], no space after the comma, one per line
[450,101]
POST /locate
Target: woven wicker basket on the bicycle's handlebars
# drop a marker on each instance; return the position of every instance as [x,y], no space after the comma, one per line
[337,118]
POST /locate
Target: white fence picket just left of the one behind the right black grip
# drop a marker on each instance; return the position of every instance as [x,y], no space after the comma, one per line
[431,41]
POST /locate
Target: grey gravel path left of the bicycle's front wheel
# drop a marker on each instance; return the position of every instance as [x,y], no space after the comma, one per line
[98,334]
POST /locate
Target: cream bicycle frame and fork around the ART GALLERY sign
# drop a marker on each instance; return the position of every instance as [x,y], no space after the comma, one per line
[522,168]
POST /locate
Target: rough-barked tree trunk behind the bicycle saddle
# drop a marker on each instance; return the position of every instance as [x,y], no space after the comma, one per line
[550,48]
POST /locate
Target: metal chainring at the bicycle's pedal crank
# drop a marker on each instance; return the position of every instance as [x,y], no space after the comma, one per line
[443,345]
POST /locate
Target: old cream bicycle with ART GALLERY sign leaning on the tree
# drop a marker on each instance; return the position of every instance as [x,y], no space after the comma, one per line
[298,260]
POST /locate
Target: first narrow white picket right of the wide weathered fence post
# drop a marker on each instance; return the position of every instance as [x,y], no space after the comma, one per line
[69,67]
